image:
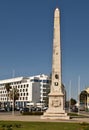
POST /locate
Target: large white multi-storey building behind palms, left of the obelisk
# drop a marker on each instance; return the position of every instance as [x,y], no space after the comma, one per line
[31,89]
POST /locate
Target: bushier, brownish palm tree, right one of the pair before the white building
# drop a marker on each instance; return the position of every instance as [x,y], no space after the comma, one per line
[14,95]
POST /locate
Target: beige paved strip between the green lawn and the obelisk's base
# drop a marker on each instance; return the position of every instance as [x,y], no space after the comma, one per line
[38,119]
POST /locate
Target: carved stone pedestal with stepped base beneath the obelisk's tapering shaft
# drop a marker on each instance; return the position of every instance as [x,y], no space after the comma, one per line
[55,110]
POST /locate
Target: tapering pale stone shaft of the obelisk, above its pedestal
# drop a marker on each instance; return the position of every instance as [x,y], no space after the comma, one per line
[56,61]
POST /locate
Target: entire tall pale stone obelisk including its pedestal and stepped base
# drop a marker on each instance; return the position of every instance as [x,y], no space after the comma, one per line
[56,96]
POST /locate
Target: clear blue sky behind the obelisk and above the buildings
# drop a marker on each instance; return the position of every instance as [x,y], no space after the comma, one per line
[26,33]
